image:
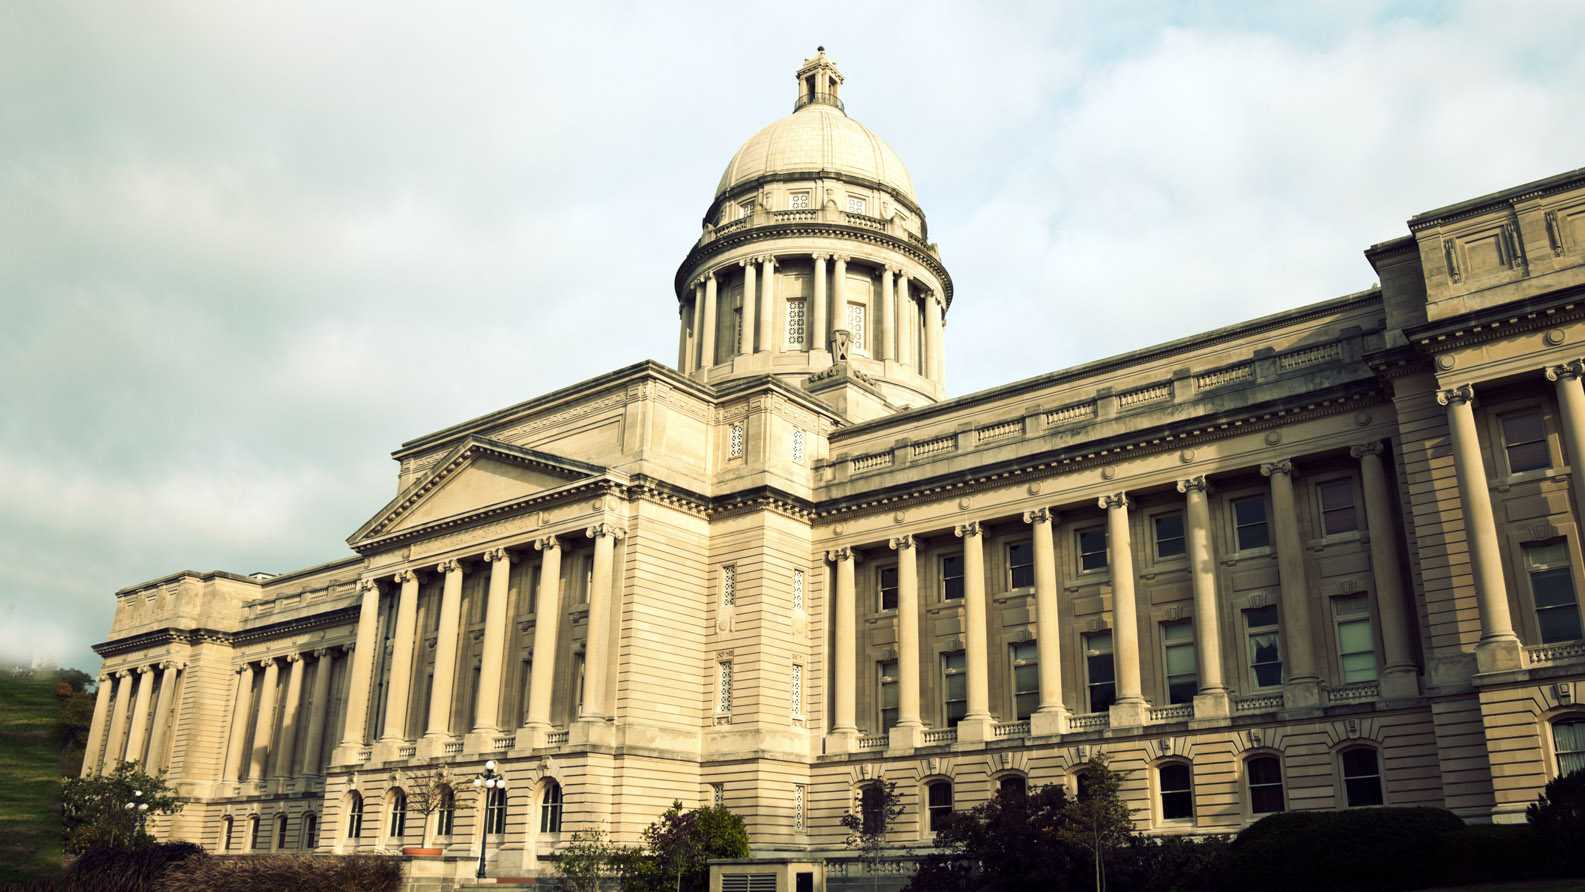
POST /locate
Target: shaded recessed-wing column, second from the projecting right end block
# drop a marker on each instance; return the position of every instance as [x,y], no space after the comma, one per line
[1300,684]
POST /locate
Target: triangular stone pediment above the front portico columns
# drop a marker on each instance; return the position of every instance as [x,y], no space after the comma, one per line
[478,475]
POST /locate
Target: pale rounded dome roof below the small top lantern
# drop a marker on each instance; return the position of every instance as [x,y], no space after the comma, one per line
[819,139]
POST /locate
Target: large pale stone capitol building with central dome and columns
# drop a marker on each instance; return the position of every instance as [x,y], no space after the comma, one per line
[1327,558]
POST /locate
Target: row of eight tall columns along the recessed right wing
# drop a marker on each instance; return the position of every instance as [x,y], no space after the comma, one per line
[1302,684]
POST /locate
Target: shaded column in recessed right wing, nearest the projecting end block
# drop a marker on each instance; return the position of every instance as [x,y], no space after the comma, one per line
[1400,679]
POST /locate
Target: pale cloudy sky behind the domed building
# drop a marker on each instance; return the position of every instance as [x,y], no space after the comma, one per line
[246,250]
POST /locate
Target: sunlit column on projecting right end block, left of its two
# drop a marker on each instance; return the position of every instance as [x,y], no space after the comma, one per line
[1499,649]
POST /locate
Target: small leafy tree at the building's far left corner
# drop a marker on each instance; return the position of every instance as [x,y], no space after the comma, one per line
[107,810]
